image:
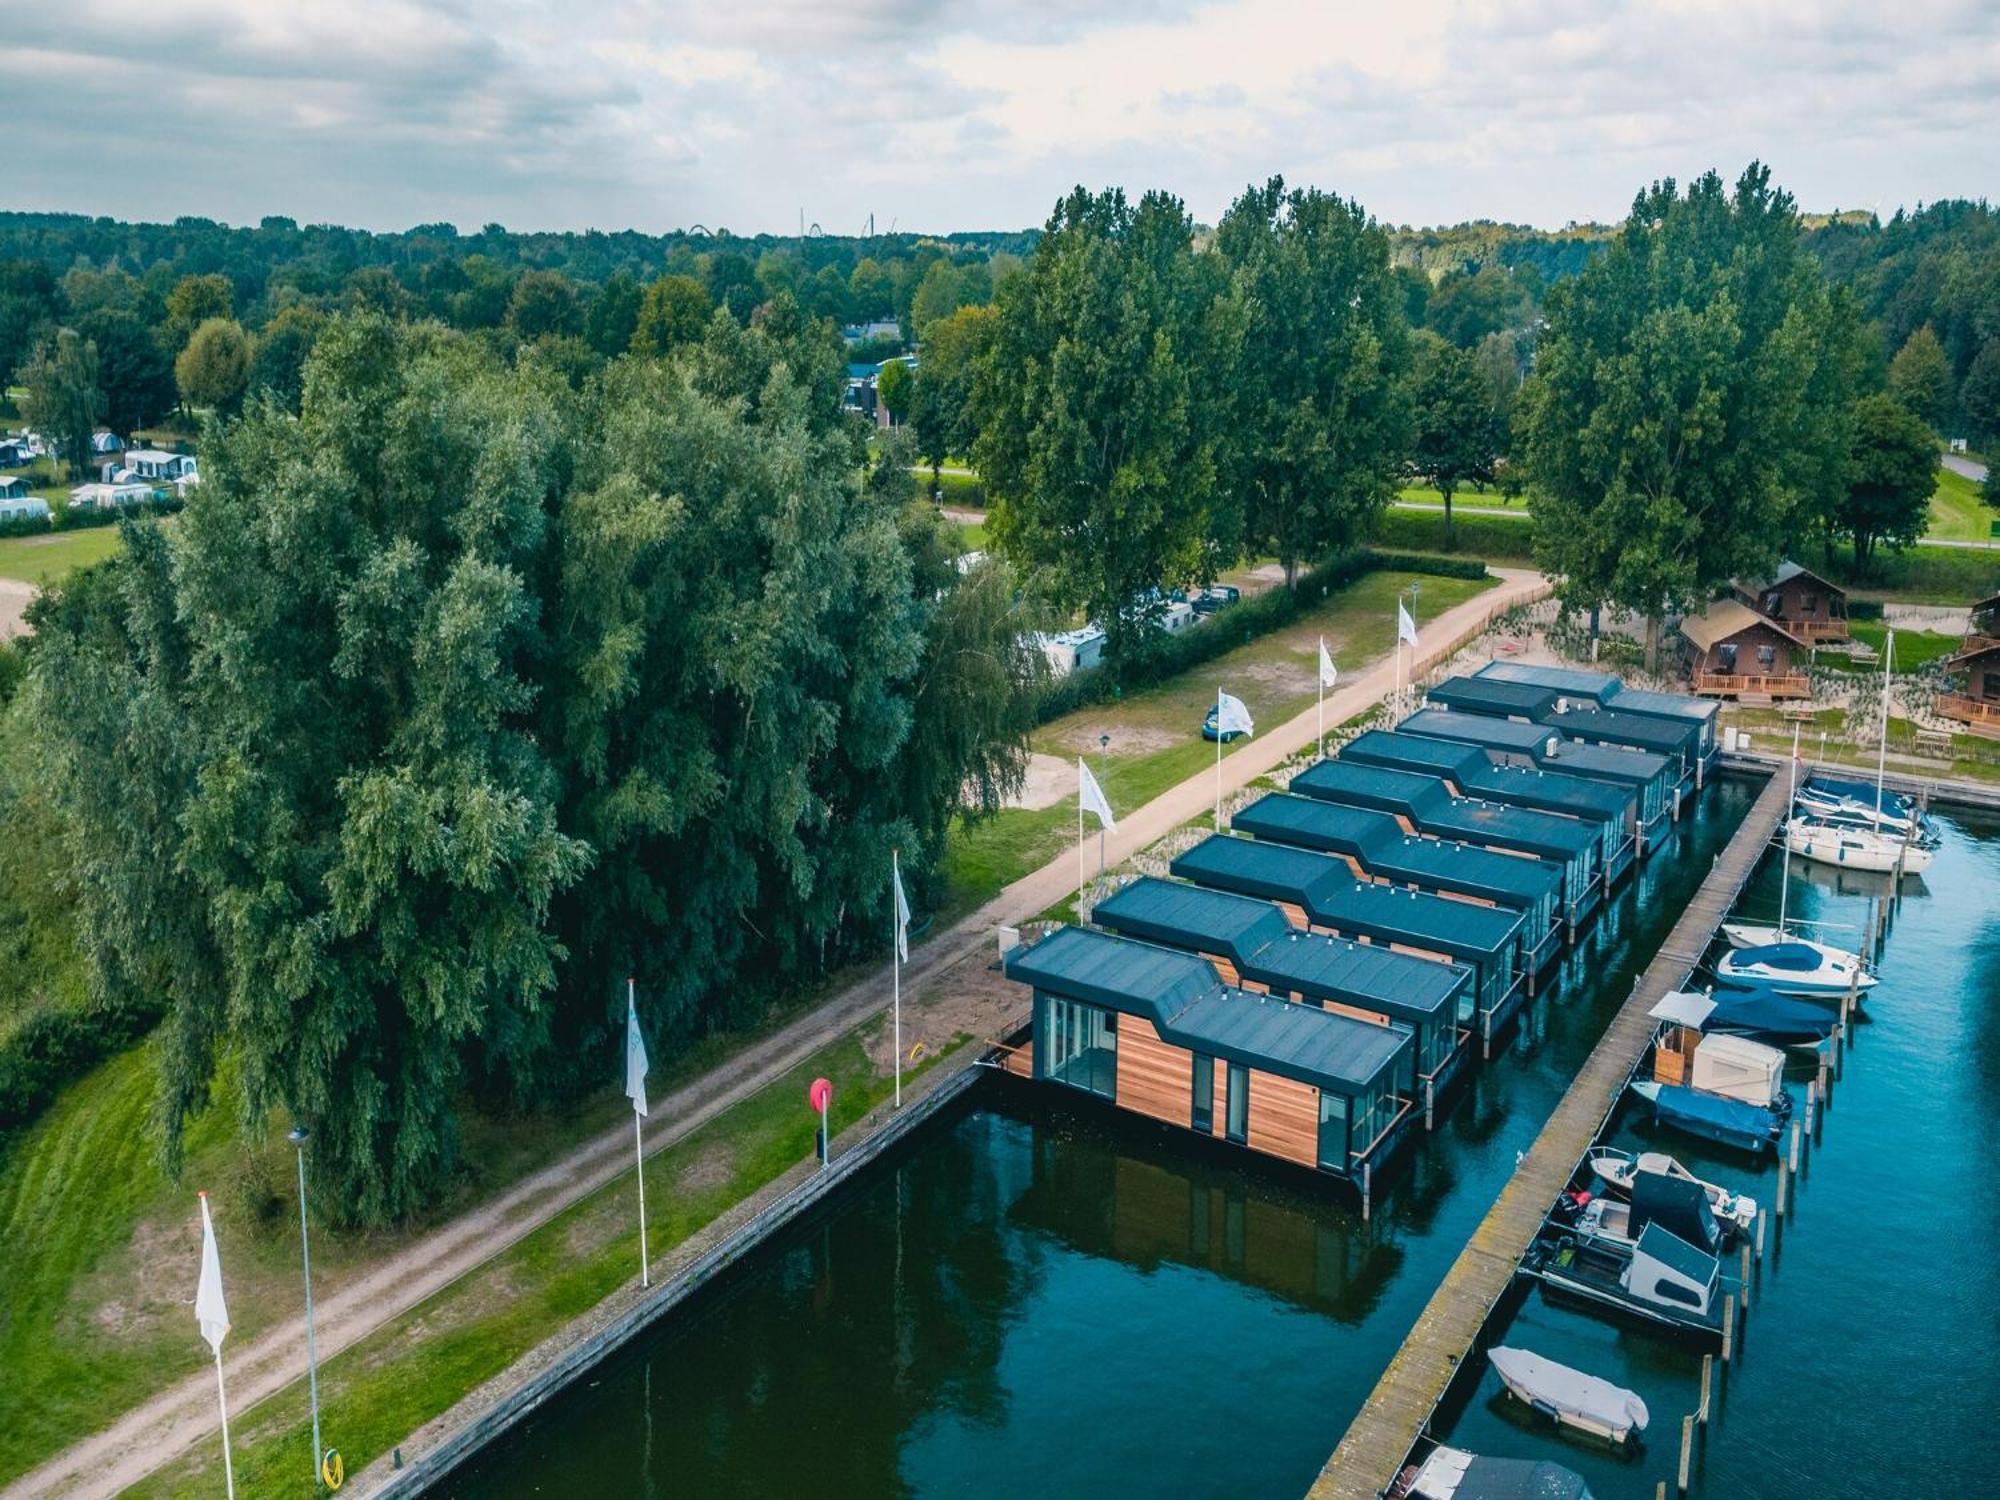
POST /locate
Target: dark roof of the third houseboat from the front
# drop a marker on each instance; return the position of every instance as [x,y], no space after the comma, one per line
[1329,895]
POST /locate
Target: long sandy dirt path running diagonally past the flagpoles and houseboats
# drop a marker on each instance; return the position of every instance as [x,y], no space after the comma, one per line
[149,1437]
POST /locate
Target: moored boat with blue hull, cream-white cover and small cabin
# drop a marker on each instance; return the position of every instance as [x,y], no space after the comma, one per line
[1725,1089]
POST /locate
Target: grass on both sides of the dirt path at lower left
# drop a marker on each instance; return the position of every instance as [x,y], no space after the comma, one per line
[103,1255]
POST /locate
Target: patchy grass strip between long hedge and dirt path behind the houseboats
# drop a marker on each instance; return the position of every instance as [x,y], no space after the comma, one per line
[1157,733]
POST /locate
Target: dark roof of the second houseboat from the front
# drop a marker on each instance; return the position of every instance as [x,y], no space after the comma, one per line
[1271,951]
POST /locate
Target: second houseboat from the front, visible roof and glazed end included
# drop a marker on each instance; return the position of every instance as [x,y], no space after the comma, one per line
[1255,947]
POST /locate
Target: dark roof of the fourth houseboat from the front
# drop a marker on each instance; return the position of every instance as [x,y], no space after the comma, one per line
[1385,849]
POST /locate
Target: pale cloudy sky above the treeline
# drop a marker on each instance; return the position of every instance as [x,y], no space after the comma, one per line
[945,115]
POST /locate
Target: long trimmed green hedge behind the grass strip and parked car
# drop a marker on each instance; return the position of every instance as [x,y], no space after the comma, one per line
[1239,625]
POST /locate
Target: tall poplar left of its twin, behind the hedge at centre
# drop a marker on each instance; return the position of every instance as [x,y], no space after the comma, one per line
[1097,445]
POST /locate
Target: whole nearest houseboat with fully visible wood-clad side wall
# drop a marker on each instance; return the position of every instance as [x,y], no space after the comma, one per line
[1153,1031]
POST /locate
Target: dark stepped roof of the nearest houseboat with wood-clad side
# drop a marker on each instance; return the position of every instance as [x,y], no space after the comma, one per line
[1193,1009]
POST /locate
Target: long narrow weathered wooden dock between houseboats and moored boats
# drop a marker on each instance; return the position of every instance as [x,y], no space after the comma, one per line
[1393,1419]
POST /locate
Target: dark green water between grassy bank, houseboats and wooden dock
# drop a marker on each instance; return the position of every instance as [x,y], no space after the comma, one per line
[1037,1301]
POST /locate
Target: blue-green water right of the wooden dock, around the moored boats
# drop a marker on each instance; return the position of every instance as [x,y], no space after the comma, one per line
[1873,1353]
